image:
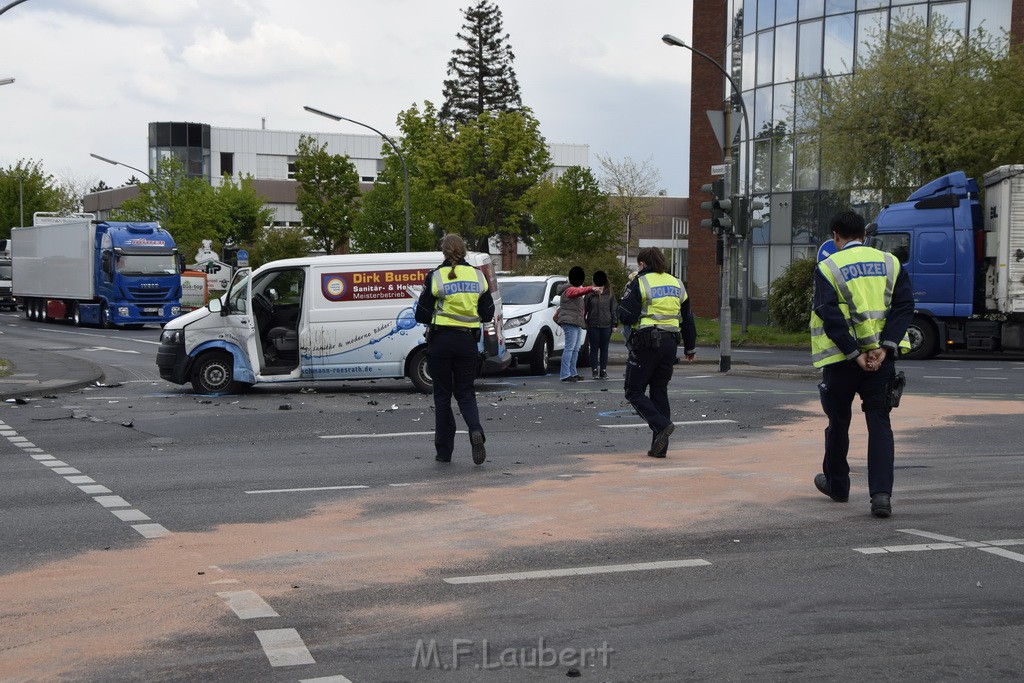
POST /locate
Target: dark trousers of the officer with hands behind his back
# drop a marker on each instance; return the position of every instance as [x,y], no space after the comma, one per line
[840,382]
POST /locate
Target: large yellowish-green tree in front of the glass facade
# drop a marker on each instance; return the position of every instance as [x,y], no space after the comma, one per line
[924,102]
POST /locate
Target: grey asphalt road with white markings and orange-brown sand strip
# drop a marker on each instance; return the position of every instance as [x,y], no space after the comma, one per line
[308,534]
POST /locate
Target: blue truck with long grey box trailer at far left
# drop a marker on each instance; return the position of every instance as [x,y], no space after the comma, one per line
[100,273]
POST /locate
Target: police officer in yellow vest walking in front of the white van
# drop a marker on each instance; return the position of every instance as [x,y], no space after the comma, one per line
[456,300]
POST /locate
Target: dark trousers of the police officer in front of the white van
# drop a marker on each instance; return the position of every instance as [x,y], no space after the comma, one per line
[453,361]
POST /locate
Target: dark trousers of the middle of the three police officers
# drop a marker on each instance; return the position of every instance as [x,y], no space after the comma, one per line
[652,368]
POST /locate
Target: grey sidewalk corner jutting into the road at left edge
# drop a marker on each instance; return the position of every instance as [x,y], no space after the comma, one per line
[45,373]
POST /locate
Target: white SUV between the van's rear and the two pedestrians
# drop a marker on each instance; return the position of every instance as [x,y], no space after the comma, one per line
[529,305]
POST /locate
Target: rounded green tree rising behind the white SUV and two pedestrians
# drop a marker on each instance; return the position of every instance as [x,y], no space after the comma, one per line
[574,218]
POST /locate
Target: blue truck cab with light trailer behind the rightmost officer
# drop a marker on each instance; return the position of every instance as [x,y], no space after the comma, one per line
[966,261]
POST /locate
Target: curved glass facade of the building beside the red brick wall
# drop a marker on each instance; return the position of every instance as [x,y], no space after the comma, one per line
[776,49]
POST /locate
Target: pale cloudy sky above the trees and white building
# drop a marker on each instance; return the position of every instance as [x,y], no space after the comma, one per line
[92,74]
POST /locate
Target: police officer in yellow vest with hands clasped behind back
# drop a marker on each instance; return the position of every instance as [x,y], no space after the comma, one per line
[864,303]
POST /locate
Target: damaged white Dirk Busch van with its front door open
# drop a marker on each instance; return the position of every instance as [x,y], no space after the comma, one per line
[324,318]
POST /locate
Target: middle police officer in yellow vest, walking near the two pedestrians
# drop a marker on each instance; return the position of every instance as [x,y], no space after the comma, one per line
[657,306]
